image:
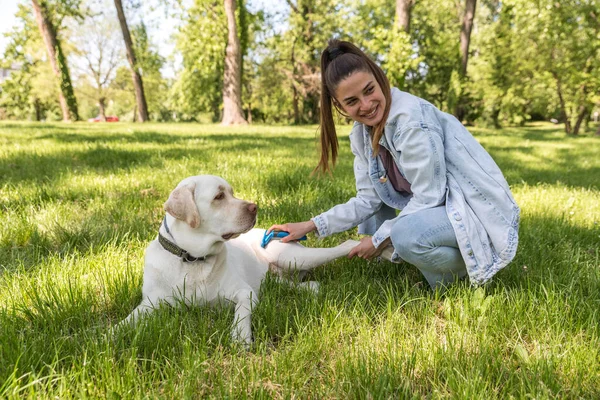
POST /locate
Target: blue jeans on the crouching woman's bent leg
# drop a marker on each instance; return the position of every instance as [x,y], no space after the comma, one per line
[426,240]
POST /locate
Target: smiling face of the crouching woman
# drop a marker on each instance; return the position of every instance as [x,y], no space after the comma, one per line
[361,97]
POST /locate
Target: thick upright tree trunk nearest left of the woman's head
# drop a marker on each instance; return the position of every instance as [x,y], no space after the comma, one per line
[232,80]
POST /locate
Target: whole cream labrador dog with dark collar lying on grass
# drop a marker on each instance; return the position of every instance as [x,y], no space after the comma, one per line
[207,250]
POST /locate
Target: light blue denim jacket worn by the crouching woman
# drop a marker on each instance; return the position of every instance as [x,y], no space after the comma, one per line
[444,165]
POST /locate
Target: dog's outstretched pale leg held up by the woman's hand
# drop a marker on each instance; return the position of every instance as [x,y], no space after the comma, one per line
[295,256]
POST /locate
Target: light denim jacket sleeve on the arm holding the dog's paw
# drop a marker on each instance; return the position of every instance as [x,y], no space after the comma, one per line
[421,158]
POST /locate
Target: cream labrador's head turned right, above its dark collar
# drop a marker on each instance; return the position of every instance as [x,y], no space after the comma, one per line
[206,203]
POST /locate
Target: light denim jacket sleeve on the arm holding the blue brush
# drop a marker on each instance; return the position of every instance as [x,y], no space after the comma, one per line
[359,208]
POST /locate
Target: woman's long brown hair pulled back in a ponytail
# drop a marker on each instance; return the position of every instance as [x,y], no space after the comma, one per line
[338,61]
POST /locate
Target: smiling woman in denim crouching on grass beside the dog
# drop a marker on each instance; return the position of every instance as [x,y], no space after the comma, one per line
[457,216]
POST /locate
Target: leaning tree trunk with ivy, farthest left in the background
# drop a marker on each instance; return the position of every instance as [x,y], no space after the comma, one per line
[66,96]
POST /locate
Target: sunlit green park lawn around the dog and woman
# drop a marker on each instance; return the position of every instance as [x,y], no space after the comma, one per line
[79,203]
